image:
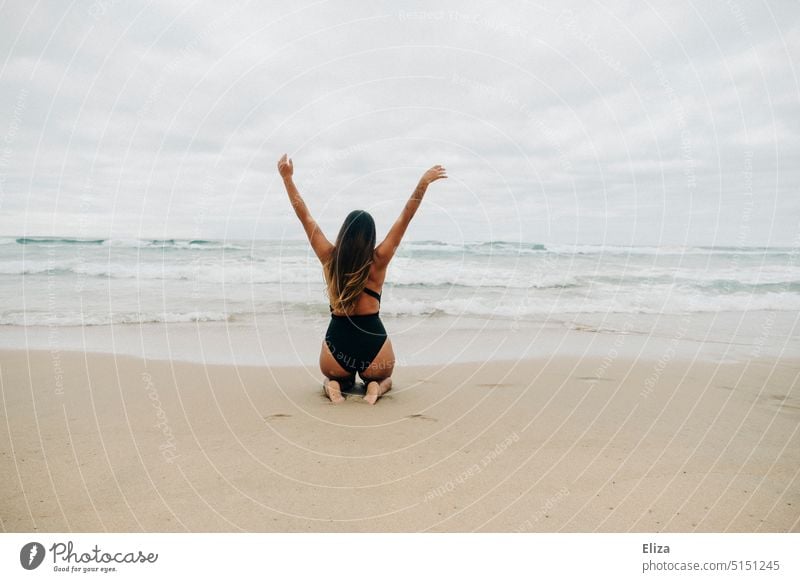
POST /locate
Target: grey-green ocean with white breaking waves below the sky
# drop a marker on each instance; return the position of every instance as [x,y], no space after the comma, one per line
[97,282]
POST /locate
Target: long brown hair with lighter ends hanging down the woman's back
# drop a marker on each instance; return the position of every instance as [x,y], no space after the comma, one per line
[347,271]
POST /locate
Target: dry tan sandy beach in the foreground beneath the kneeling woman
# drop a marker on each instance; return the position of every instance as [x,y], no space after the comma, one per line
[103,442]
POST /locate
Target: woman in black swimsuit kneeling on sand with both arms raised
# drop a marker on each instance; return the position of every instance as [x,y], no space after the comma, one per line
[356,341]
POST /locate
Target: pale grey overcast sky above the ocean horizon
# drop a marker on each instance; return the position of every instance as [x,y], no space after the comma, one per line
[608,122]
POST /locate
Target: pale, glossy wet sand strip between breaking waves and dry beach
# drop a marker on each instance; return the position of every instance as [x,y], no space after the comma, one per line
[713,336]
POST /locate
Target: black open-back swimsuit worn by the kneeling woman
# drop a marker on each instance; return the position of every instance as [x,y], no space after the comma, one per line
[355,340]
